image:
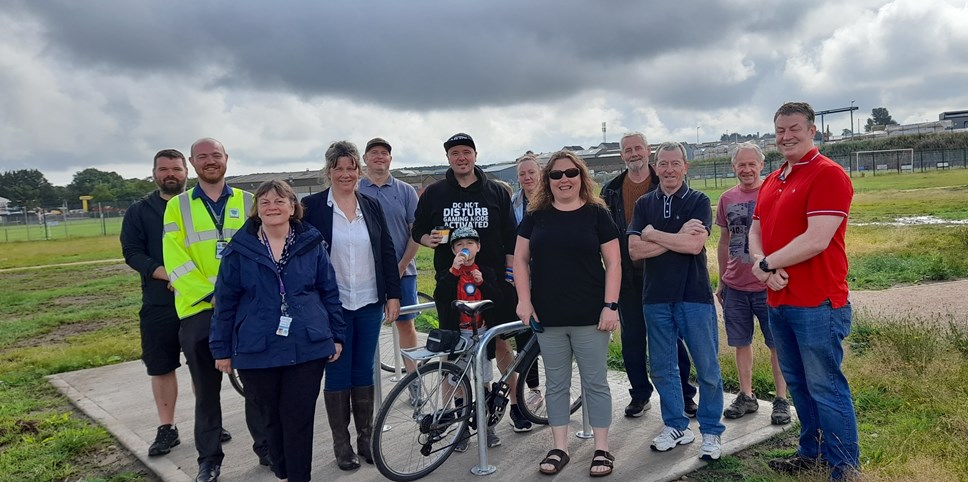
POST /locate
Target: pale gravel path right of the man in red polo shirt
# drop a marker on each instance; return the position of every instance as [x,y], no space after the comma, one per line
[929,301]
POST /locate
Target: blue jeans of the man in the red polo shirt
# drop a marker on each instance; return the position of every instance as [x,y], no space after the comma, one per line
[809,347]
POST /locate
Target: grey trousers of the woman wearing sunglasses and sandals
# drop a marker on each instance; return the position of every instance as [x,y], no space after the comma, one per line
[590,348]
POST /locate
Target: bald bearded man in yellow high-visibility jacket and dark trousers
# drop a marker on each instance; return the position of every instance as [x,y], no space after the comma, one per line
[198,226]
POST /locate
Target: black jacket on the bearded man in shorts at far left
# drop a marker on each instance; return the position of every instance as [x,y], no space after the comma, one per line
[141,233]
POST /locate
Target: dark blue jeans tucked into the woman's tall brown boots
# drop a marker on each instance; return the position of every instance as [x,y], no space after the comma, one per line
[354,368]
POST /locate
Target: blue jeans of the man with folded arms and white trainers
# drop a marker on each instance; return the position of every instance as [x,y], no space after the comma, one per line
[697,324]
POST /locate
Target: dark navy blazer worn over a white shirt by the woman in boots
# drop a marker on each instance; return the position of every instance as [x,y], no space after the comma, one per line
[319,214]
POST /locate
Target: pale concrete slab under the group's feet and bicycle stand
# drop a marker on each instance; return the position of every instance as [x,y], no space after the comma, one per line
[119,398]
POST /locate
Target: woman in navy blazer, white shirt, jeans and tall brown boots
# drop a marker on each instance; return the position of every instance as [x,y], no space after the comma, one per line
[359,244]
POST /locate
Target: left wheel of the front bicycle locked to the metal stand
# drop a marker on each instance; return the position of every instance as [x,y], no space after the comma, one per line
[416,438]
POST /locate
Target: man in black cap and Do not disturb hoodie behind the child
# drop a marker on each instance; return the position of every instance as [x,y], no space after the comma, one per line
[467,198]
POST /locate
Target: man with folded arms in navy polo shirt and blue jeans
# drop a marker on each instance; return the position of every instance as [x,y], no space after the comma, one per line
[669,229]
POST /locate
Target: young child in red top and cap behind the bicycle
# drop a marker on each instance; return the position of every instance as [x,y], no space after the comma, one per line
[471,283]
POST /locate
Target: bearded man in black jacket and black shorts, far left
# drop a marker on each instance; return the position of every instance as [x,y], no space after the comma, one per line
[141,233]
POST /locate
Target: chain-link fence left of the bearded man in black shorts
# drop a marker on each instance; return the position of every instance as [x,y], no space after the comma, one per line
[62,222]
